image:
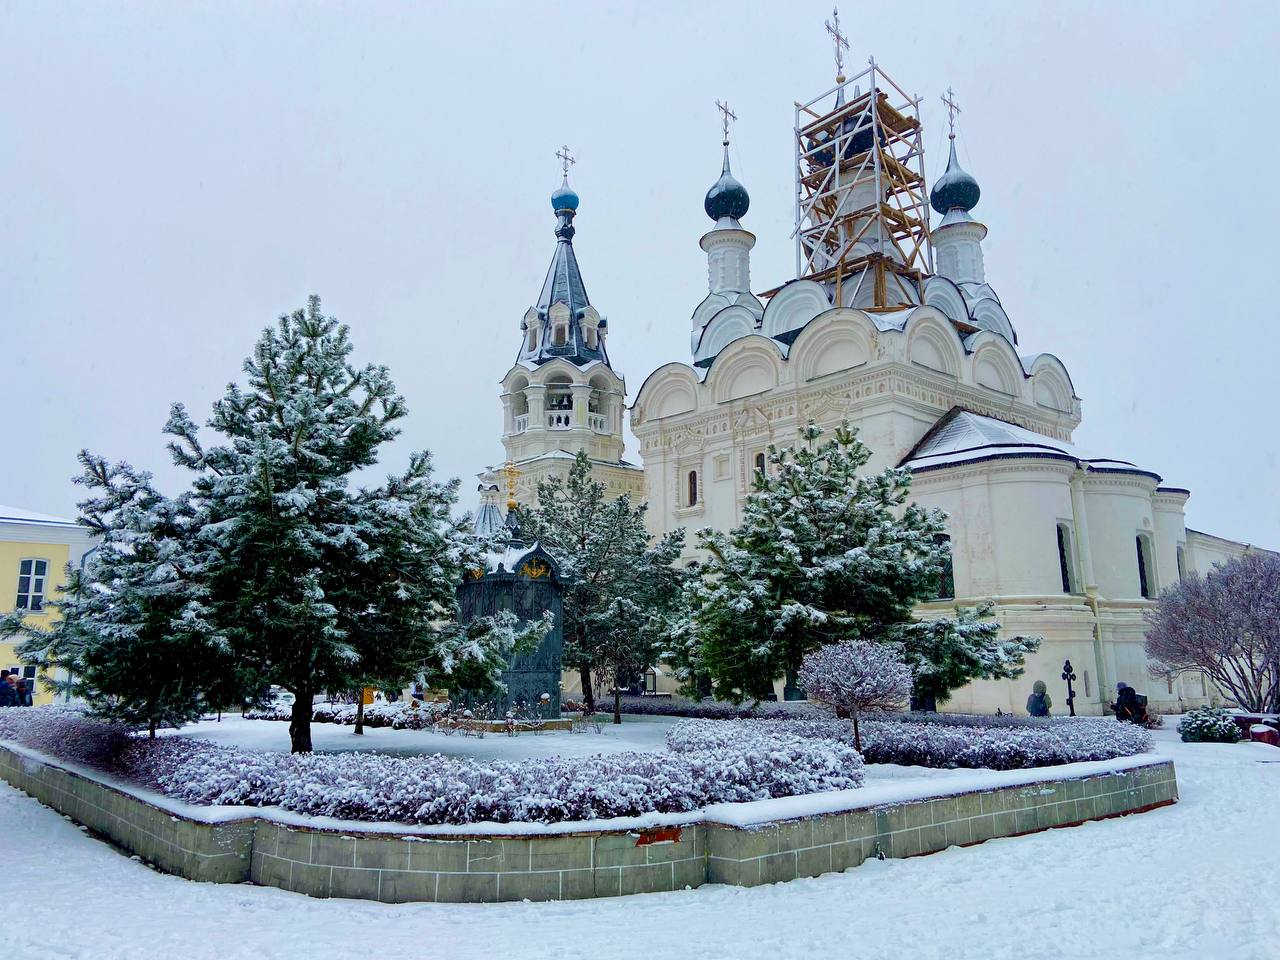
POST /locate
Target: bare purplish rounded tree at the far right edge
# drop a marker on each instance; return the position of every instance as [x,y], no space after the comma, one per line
[1226,624]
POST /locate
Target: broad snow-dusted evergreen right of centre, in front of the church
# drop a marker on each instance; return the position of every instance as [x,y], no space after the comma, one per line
[825,555]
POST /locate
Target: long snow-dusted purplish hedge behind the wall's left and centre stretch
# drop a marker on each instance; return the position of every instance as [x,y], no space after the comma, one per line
[755,765]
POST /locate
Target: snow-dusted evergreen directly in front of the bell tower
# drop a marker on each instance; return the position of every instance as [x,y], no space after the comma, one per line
[605,555]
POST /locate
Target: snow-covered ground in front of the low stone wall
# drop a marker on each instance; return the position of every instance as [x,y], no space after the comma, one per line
[1197,880]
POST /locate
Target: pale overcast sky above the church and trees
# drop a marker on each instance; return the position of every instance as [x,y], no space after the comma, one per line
[175,176]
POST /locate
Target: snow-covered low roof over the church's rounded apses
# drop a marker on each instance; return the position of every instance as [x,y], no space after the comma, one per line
[964,437]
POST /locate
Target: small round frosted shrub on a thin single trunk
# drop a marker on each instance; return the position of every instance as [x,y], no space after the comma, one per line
[856,678]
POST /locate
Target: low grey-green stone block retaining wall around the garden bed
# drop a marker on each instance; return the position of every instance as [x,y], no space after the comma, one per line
[408,867]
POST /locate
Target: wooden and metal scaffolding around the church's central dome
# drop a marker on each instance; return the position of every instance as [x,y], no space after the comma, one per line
[862,213]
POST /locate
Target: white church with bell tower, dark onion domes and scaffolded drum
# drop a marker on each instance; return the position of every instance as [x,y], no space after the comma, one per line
[893,326]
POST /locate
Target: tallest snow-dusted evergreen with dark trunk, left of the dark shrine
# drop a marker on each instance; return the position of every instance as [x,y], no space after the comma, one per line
[313,584]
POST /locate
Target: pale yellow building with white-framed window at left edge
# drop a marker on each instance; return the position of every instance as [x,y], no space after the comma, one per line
[35,551]
